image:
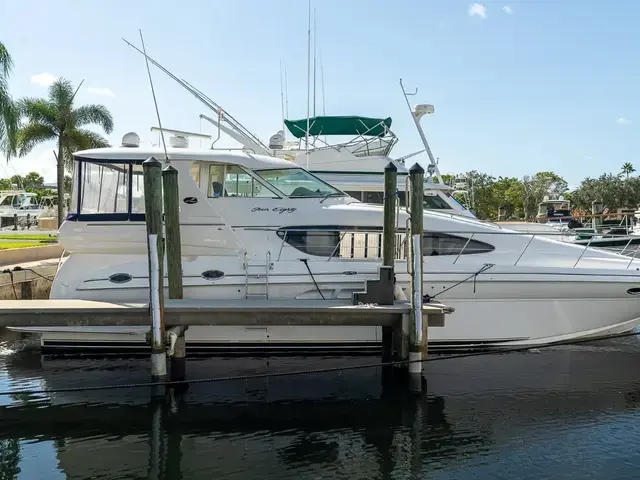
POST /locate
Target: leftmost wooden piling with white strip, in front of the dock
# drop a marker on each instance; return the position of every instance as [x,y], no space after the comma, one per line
[152,170]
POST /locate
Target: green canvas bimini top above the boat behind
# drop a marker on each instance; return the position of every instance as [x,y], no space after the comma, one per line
[344,125]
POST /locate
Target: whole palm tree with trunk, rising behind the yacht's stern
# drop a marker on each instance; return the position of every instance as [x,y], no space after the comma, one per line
[54,118]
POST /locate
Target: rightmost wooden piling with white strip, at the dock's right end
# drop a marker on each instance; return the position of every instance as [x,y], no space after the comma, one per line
[417,338]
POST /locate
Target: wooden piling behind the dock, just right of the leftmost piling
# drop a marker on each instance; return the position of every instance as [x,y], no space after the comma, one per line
[171,197]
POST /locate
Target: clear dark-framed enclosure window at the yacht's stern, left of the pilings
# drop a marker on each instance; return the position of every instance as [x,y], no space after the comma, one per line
[104,188]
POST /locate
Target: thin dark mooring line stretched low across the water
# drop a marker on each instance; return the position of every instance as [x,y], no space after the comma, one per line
[172,383]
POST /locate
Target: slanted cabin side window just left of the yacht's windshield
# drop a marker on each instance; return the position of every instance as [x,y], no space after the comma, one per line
[234,181]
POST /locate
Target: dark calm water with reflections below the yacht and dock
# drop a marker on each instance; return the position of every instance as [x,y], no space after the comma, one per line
[571,412]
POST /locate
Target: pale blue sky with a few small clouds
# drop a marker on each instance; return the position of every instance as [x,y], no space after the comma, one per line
[518,86]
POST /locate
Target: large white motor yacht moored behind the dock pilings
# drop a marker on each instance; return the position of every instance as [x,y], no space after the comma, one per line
[262,226]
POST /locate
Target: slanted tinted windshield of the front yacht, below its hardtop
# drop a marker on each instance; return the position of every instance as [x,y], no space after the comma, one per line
[297,183]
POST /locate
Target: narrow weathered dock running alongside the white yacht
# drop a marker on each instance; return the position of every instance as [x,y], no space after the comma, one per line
[27,313]
